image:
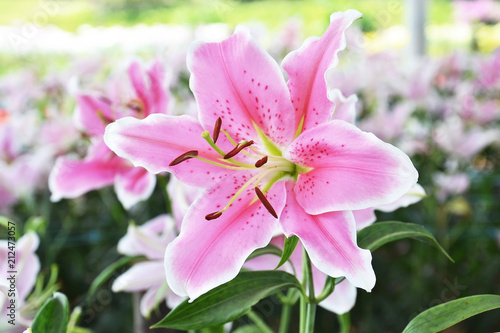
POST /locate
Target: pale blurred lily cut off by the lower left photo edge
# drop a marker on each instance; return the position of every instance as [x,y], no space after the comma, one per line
[27,267]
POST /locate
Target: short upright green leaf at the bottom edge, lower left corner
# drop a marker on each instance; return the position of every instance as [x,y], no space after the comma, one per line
[53,317]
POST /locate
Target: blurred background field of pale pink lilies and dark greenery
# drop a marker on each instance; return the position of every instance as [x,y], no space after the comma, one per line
[427,76]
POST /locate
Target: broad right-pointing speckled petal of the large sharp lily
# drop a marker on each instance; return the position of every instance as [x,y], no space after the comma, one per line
[352,169]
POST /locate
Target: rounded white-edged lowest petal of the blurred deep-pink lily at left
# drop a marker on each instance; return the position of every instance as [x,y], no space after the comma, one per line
[134,185]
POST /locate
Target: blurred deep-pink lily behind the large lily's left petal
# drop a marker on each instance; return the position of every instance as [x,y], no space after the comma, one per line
[71,178]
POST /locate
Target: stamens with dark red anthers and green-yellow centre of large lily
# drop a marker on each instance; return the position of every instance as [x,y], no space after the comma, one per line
[271,168]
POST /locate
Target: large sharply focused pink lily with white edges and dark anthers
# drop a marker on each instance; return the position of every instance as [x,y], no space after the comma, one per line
[283,163]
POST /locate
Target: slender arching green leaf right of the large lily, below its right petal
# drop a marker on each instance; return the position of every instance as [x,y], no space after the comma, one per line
[380,233]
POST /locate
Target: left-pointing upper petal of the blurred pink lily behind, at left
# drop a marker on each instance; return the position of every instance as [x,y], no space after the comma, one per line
[93,113]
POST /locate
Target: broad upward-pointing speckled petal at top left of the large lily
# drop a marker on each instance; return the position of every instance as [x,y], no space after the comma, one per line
[239,82]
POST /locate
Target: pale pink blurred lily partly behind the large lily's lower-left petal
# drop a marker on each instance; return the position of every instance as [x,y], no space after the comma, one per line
[149,240]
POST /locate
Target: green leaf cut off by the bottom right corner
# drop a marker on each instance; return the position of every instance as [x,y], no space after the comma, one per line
[448,314]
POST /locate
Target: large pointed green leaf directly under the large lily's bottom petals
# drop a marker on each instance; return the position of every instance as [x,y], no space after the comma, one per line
[228,301]
